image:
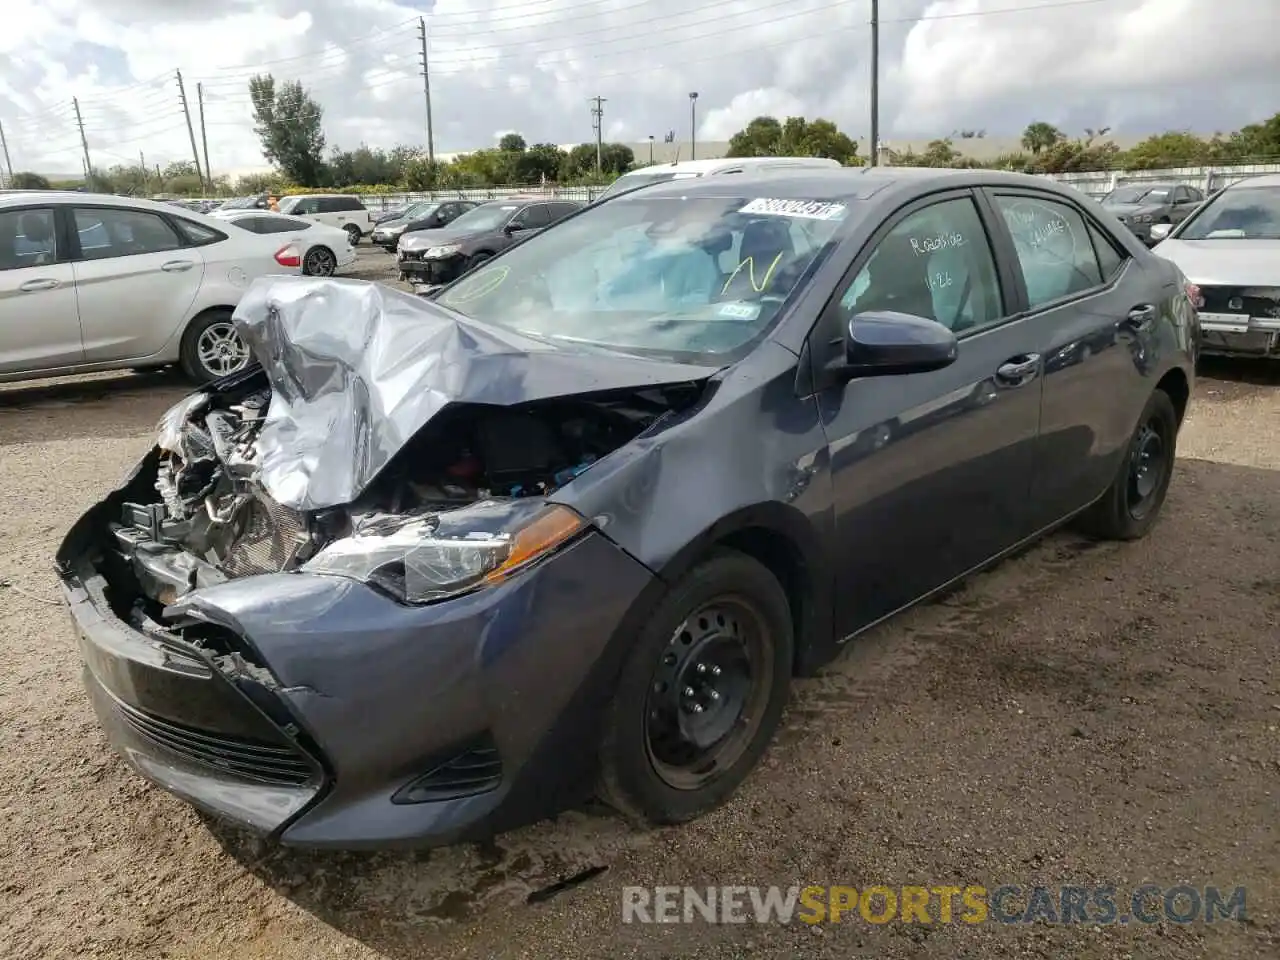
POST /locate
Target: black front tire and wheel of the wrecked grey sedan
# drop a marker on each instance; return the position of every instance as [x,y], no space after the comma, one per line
[634,780]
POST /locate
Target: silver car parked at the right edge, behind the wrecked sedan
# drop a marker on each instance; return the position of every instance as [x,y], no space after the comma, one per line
[1231,249]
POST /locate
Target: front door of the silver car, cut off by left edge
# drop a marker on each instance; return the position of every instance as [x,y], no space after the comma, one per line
[39,321]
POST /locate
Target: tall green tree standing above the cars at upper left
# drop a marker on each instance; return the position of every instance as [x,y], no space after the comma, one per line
[289,124]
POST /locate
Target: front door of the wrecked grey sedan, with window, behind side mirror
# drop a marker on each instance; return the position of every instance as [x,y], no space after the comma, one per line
[931,472]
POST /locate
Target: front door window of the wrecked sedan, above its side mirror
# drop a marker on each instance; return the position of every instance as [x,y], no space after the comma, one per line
[936,264]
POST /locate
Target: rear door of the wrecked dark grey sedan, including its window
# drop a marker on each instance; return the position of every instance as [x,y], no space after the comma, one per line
[1092,310]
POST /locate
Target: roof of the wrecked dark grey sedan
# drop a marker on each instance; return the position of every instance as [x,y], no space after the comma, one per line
[840,184]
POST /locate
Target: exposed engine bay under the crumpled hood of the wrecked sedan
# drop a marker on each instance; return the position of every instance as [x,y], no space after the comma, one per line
[212,522]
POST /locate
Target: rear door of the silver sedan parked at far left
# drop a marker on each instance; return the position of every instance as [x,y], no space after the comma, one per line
[135,281]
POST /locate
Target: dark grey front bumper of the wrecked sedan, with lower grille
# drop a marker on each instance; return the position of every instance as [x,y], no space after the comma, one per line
[353,701]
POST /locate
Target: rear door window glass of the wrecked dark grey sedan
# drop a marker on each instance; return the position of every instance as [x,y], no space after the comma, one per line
[1054,248]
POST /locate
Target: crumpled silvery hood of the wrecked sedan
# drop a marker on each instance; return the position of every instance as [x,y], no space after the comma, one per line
[358,369]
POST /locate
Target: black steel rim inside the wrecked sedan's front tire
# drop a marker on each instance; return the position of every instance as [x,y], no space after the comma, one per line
[710,693]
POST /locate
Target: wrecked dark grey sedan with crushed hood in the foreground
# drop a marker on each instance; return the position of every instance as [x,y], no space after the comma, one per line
[574,523]
